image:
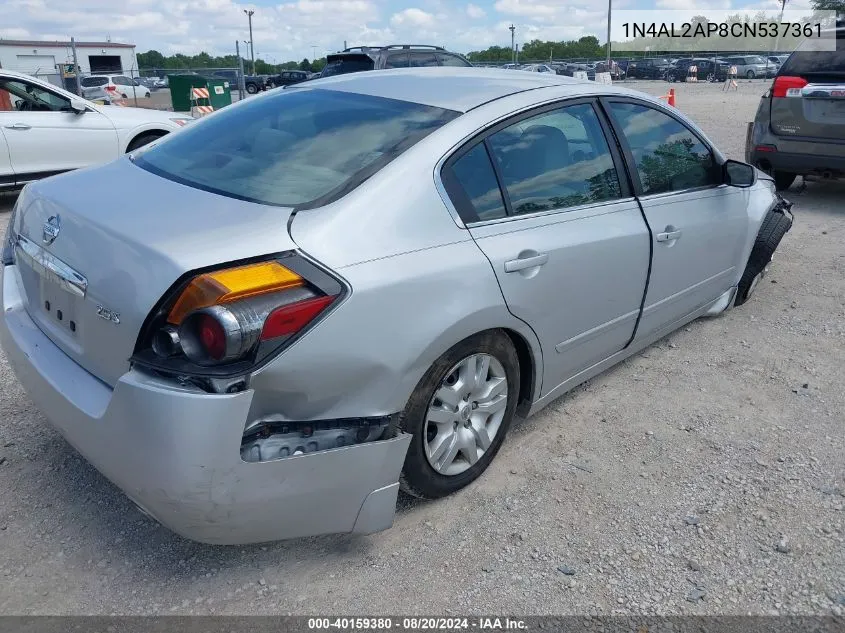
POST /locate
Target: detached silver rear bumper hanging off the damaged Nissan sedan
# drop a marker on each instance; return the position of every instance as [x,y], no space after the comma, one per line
[175,451]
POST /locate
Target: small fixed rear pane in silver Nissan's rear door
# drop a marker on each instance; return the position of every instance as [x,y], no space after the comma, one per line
[472,185]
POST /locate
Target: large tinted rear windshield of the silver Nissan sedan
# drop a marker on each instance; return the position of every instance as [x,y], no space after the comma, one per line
[300,148]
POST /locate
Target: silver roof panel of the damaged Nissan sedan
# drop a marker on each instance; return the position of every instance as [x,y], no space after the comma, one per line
[452,88]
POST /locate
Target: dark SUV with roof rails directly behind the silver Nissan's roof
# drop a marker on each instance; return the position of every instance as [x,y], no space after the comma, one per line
[363,58]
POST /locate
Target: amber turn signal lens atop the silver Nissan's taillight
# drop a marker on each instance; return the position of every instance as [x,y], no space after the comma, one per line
[225,286]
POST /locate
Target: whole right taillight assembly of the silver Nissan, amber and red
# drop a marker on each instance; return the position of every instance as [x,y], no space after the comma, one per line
[230,320]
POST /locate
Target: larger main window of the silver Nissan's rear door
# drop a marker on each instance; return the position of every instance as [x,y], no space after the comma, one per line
[555,160]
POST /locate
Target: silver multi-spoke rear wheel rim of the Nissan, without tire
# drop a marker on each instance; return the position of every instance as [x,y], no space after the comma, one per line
[465,414]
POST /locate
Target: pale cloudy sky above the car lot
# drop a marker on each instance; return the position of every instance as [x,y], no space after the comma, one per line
[294,29]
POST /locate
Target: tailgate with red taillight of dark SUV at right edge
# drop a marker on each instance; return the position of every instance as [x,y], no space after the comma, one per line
[814,104]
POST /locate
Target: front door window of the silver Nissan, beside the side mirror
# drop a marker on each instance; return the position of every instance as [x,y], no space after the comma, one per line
[668,156]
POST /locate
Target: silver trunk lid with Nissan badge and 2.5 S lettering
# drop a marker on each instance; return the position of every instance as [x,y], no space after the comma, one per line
[93,267]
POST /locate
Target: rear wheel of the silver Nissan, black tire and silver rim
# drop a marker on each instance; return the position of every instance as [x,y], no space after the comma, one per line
[459,415]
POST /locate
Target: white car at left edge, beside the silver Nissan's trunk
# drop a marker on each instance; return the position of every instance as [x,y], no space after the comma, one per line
[45,130]
